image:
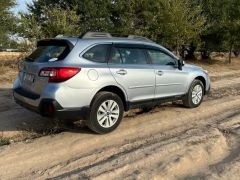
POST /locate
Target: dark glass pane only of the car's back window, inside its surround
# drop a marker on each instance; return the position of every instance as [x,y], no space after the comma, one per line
[45,53]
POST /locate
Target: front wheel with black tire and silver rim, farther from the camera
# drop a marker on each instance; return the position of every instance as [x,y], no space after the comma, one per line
[195,94]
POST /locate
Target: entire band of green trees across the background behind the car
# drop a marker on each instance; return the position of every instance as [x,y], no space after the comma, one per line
[207,25]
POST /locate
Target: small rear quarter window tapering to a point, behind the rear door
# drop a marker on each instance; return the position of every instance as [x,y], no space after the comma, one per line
[97,53]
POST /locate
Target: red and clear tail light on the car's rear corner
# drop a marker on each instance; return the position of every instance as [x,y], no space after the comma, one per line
[58,74]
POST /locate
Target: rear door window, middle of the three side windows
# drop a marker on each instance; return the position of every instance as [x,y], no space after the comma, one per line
[128,56]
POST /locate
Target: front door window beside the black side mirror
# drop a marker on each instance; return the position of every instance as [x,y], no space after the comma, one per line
[160,58]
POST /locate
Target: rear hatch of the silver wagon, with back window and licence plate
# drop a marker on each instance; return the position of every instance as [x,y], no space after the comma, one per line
[47,53]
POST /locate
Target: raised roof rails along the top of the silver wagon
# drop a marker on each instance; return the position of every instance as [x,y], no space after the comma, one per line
[113,35]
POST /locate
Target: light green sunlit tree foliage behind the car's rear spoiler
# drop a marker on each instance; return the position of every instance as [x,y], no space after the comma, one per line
[53,22]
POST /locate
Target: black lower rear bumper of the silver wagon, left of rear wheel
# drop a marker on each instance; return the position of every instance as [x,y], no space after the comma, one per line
[49,107]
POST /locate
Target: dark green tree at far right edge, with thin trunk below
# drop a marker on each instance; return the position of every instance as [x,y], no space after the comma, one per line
[223,25]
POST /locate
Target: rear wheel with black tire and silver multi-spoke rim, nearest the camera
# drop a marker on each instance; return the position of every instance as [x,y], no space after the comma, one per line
[106,112]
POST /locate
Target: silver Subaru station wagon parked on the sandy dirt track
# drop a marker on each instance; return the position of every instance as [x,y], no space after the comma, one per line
[96,77]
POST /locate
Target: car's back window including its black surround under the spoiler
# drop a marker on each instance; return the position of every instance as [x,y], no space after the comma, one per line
[48,51]
